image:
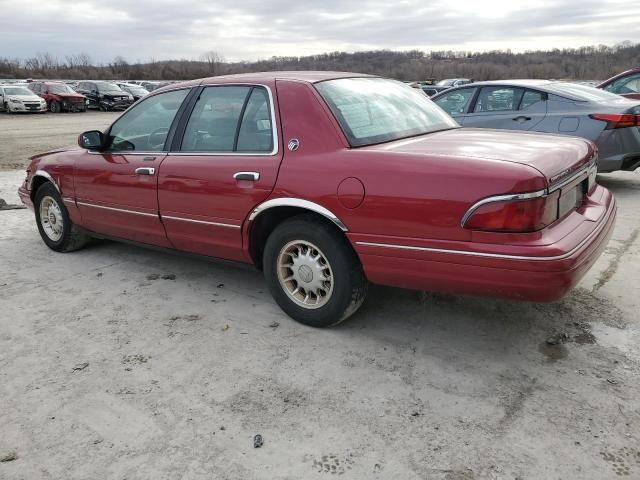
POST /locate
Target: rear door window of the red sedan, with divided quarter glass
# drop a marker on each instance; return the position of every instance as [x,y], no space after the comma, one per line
[228,119]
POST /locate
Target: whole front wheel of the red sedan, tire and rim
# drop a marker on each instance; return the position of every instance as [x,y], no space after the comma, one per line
[56,228]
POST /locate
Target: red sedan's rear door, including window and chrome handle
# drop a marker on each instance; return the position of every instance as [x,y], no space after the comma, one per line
[223,164]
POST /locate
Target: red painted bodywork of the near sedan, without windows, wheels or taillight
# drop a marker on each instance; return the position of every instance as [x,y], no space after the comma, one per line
[409,193]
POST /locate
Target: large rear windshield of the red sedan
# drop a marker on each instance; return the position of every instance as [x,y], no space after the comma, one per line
[376,110]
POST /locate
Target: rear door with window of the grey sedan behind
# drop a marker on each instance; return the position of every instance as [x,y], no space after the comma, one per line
[507,107]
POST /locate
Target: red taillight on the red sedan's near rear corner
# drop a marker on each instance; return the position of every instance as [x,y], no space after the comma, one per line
[515,215]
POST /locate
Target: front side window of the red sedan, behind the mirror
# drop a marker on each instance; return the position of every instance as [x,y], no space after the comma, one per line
[145,126]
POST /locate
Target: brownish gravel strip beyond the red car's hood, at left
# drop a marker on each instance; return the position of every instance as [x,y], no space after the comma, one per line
[25,134]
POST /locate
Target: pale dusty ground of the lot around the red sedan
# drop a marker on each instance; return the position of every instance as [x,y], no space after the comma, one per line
[118,362]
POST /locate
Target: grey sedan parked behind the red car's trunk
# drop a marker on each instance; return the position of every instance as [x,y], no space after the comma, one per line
[610,121]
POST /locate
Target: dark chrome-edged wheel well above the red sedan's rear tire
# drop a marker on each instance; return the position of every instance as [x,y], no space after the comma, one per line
[267,221]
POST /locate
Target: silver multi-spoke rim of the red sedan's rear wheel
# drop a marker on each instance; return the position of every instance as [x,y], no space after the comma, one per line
[305,274]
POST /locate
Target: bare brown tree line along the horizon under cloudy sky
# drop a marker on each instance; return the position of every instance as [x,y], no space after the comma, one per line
[586,63]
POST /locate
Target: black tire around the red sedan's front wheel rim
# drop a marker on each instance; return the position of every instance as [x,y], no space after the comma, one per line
[72,238]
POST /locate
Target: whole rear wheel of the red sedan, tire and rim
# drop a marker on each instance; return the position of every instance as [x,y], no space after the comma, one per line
[312,272]
